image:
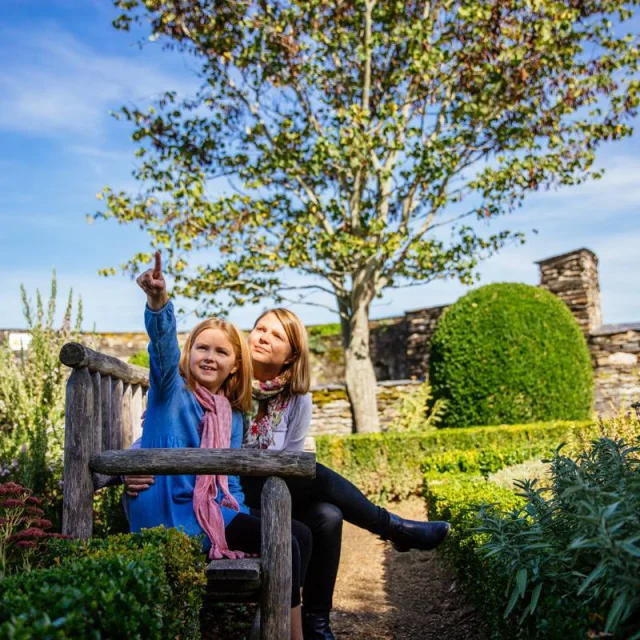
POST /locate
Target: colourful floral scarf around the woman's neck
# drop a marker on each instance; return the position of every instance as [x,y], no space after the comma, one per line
[260,433]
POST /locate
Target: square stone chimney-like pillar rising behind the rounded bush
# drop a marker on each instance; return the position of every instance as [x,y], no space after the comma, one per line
[573,277]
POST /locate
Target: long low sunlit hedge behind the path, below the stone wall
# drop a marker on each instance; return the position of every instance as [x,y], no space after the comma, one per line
[386,466]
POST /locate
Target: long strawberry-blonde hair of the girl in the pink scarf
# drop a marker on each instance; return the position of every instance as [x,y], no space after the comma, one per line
[237,386]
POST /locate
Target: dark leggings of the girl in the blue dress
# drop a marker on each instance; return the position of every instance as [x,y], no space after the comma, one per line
[243,534]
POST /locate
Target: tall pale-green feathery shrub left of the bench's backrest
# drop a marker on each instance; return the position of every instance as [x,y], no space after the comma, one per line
[32,396]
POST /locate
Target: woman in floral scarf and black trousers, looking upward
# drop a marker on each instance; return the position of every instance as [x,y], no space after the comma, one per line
[280,420]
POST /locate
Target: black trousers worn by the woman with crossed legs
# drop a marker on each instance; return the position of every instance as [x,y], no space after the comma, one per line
[321,503]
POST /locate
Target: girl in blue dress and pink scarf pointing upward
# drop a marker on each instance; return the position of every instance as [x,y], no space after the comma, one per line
[195,400]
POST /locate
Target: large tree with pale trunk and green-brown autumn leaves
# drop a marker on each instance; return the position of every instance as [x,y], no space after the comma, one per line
[349,133]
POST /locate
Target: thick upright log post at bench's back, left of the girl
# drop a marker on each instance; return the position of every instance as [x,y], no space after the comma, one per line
[77,510]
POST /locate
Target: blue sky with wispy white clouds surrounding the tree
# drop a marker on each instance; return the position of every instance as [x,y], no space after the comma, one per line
[65,67]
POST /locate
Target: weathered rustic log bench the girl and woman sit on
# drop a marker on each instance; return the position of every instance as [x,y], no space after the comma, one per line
[105,400]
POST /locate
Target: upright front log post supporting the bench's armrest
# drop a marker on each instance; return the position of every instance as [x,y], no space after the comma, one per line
[275,602]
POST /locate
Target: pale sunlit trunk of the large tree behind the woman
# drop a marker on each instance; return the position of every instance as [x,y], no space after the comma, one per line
[360,375]
